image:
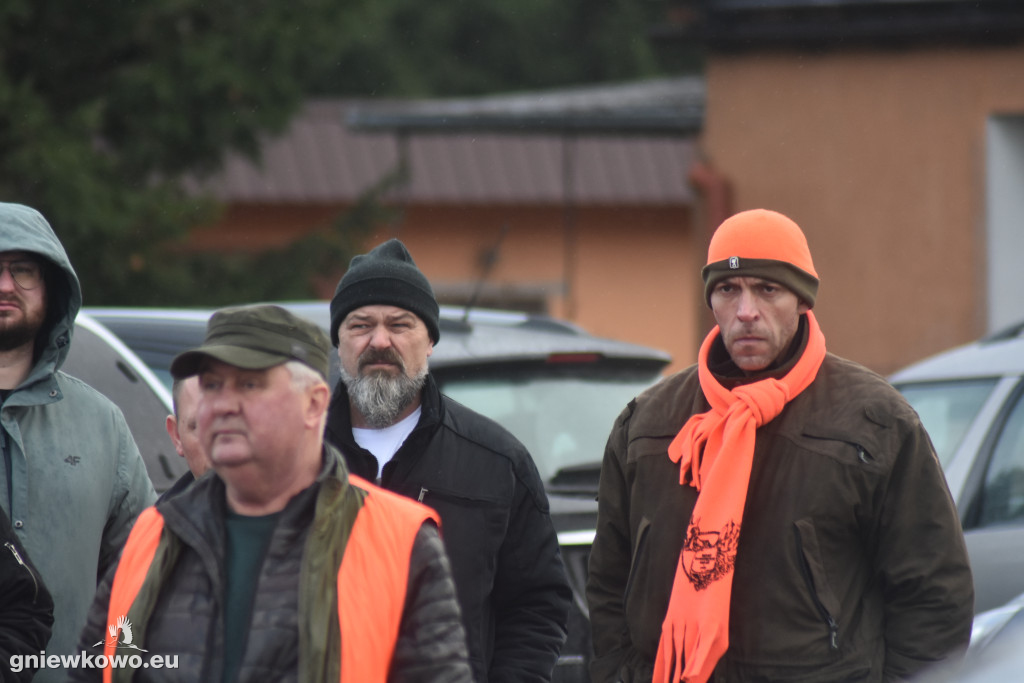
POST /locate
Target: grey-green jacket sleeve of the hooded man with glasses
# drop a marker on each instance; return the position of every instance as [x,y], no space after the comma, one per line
[134,494]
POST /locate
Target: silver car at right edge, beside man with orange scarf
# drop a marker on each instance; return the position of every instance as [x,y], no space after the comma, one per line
[971,400]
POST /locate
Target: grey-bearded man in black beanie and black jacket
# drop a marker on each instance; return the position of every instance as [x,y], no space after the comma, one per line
[391,420]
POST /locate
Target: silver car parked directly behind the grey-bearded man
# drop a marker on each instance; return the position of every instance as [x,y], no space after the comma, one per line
[554,387]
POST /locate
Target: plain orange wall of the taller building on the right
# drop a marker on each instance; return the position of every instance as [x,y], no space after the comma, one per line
[880,157]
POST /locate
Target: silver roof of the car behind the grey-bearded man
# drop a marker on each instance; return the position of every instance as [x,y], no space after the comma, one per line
[482,336]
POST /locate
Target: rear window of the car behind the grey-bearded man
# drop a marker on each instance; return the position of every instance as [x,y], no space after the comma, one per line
[564,421]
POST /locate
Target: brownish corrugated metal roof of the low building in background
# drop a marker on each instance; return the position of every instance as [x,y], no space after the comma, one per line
[320,159]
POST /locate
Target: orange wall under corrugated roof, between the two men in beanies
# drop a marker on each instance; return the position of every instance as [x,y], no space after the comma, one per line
[632,272]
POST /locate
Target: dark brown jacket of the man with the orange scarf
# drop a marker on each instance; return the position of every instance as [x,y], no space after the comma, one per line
[851,564]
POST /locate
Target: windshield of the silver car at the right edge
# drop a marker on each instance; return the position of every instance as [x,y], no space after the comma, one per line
[948,409]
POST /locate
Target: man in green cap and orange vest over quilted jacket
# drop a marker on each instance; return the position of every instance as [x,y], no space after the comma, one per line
[282,567]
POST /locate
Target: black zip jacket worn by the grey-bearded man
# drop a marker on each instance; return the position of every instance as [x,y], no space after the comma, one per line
[505,560]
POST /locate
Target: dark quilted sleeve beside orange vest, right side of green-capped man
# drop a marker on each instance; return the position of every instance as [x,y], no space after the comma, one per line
[432,643]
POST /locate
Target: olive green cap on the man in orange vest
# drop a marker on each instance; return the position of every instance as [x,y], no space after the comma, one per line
[257,338]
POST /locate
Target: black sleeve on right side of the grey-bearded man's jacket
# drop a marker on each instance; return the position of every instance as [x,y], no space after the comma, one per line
[532,594]
